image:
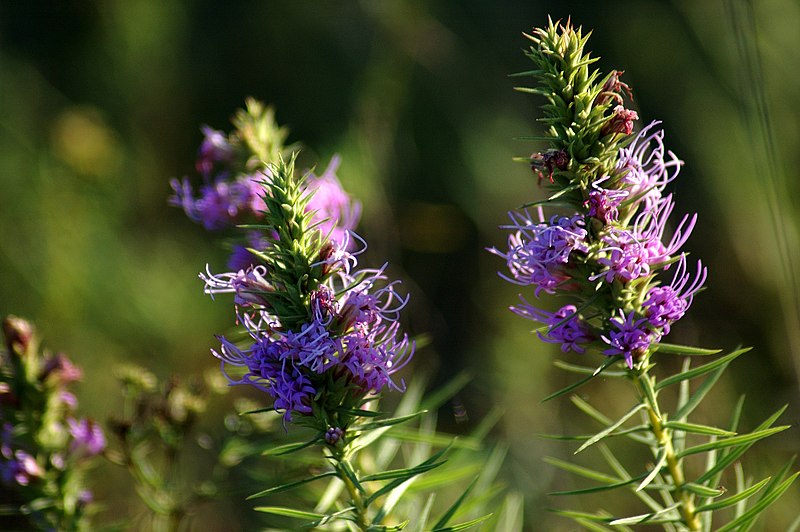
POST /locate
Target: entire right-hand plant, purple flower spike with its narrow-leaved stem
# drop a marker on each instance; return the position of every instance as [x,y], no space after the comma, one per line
[607,250]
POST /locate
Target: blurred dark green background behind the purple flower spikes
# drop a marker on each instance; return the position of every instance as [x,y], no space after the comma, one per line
[101,103]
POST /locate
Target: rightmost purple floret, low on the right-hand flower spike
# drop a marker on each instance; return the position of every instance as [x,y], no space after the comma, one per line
[667,304]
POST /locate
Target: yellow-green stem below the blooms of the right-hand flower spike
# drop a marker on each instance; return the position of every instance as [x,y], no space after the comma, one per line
[663,437]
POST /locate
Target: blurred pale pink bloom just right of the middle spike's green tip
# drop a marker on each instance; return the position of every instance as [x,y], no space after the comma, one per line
[333,210]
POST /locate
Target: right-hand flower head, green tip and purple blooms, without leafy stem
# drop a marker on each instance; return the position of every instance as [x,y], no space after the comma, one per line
[605,253]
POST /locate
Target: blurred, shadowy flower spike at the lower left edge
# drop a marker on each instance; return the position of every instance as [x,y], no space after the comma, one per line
[44,446]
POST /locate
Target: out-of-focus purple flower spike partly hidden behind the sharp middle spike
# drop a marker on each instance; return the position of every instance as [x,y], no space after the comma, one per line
[233,169]
